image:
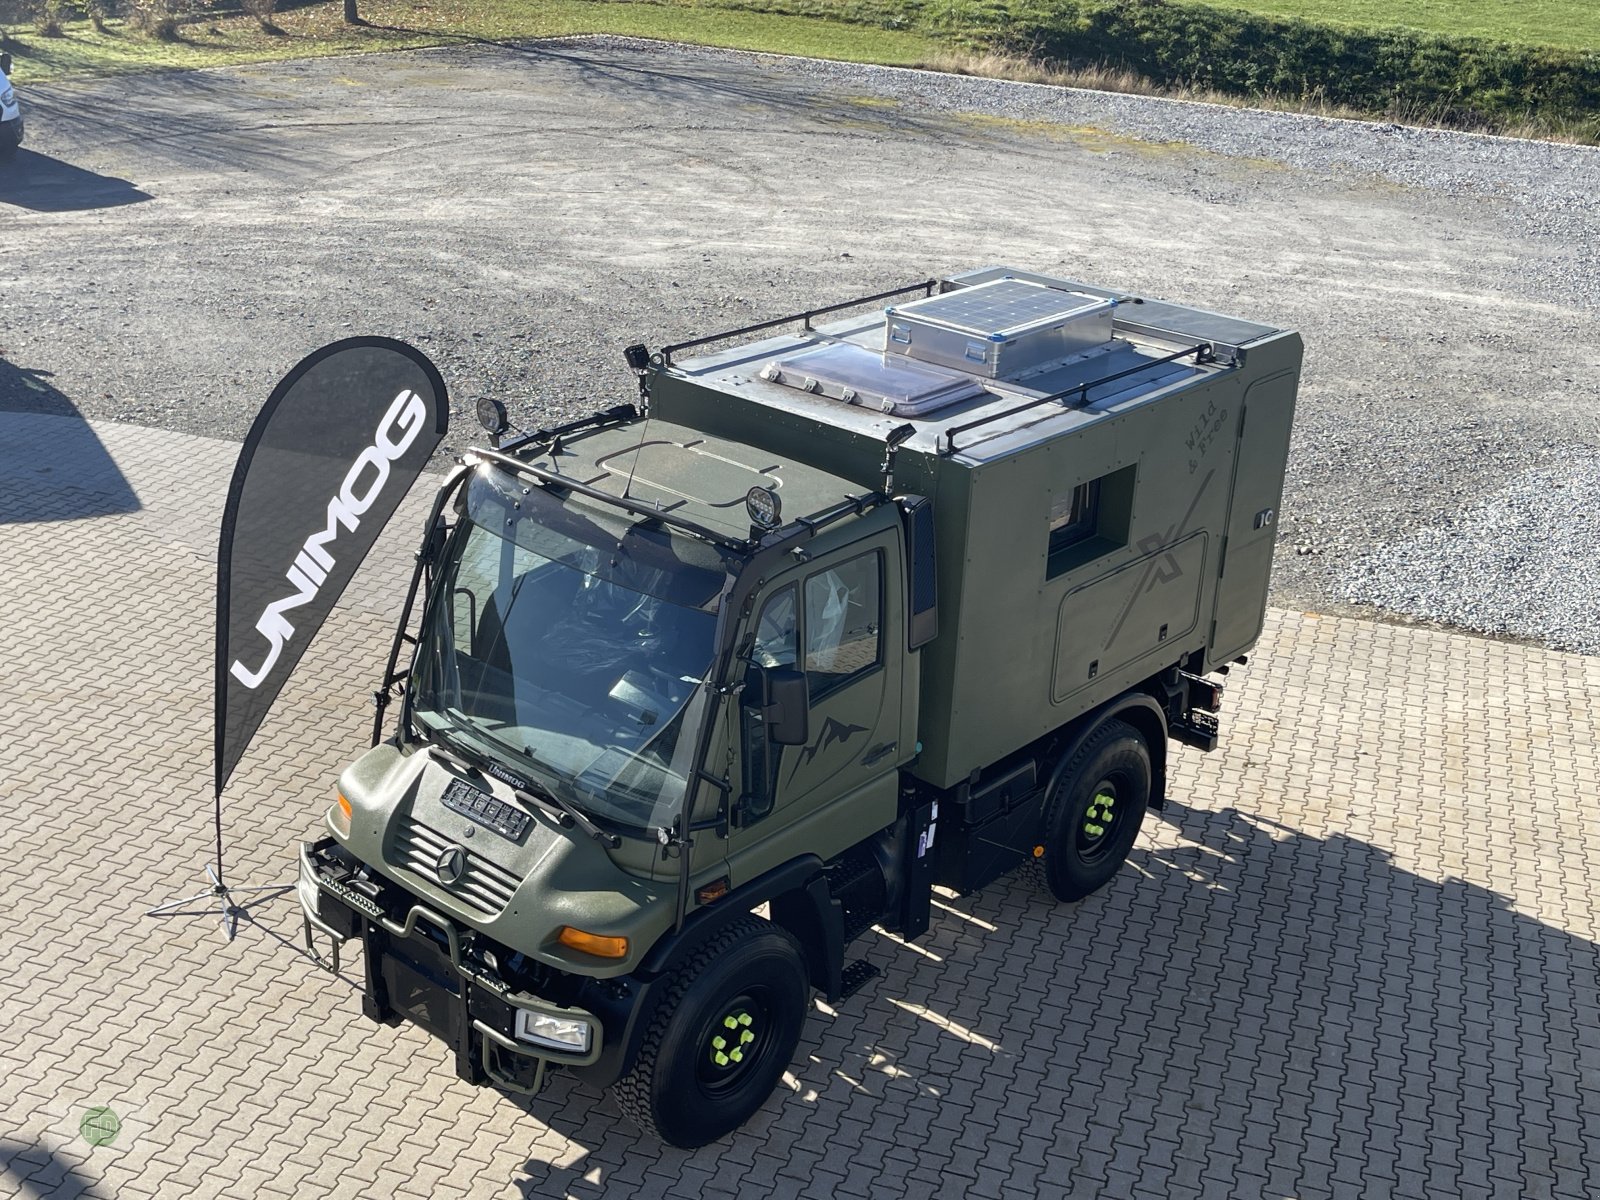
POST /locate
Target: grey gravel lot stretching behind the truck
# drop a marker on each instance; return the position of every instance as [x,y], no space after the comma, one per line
[175,242]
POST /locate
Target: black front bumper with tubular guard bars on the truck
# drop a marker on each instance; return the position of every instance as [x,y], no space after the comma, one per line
[426,969]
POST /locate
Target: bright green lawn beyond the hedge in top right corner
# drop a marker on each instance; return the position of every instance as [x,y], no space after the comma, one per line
[1572,25]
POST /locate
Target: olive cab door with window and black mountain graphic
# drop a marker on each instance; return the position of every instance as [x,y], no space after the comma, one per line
[841,620]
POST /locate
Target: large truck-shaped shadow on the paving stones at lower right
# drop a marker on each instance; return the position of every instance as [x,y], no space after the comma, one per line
[1289,1015]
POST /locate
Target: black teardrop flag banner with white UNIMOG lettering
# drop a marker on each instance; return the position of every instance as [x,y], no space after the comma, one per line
[326,465]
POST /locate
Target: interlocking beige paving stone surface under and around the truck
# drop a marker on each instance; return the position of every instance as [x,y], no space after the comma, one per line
[1356,956]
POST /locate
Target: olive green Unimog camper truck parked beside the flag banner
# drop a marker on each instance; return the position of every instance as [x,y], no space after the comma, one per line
[698,690]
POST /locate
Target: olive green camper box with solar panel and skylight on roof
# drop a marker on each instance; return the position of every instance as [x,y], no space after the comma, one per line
[1105,476]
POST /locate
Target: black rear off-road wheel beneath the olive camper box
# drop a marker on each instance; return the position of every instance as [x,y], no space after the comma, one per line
[1094,814]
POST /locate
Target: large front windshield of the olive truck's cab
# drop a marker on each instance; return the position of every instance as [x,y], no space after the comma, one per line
[572,647]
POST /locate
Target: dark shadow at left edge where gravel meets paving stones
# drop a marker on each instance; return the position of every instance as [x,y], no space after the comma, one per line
[52,465]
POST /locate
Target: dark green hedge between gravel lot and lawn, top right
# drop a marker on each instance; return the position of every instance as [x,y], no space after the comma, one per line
[1380,70]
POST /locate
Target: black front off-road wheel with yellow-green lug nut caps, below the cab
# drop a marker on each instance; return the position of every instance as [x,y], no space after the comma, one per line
[678,1090]
